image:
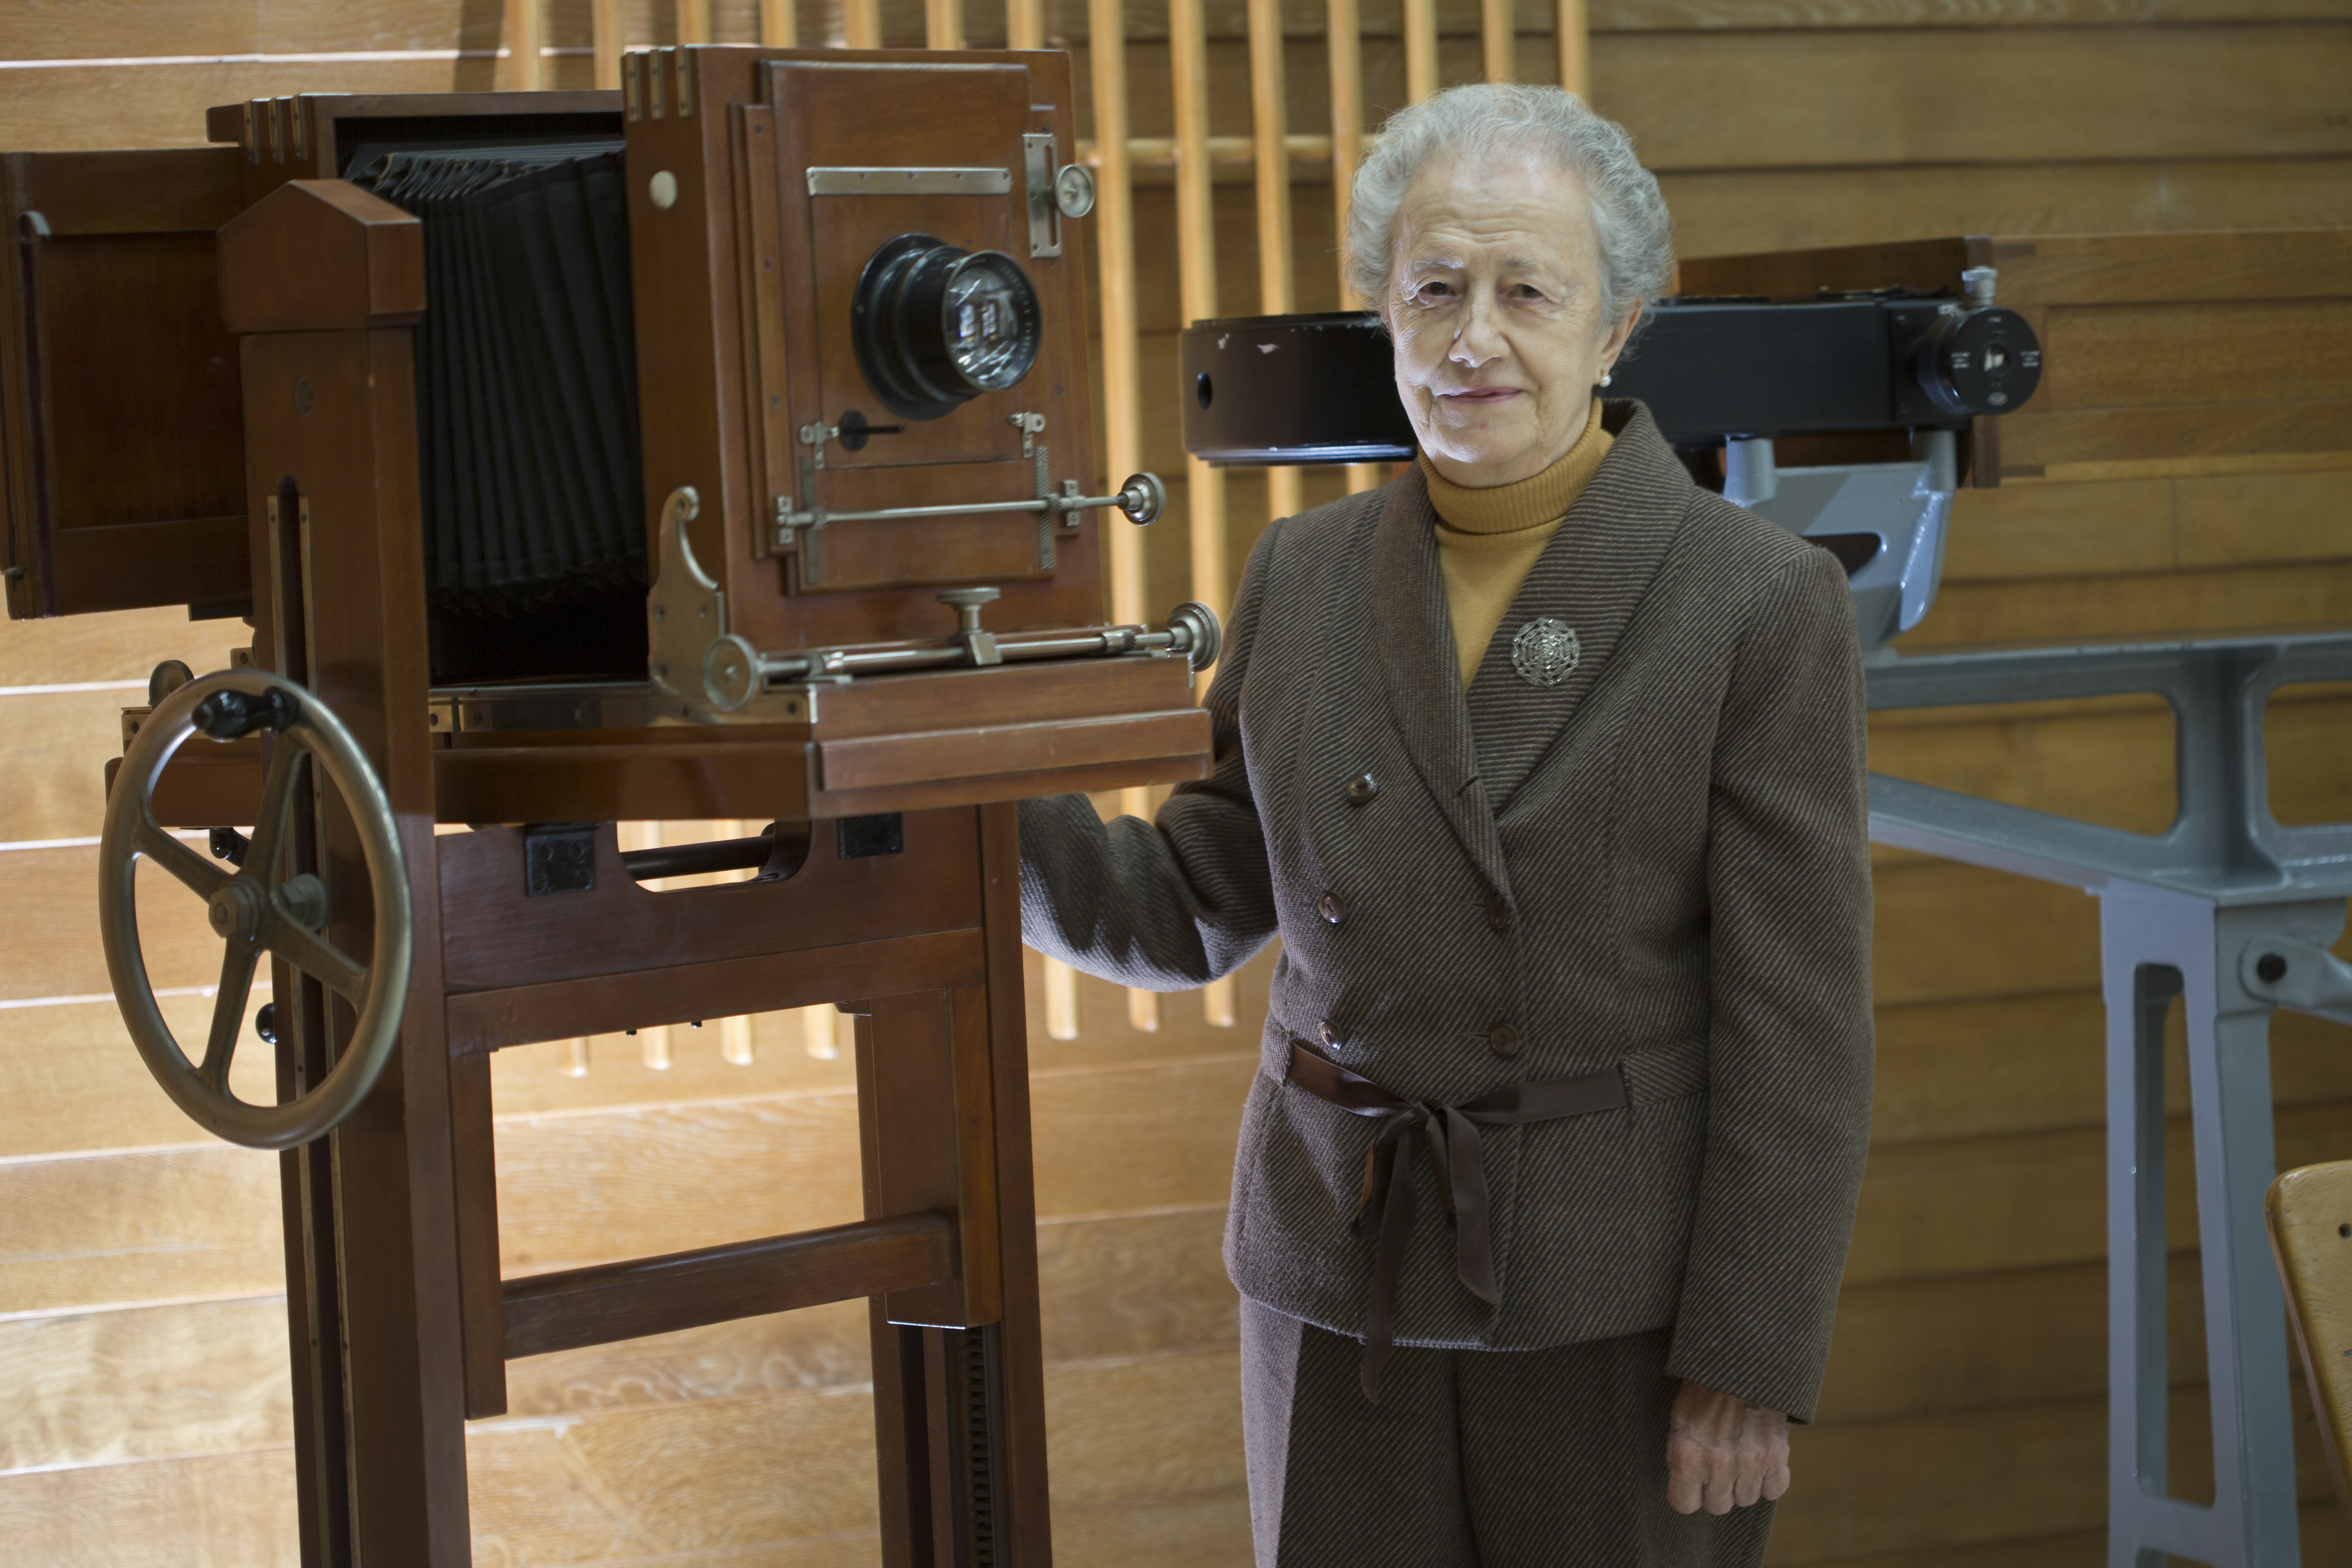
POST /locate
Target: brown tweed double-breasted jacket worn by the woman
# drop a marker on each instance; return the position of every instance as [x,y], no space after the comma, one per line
[1659,862]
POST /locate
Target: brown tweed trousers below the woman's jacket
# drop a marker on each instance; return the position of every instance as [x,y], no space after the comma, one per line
[1474,1459]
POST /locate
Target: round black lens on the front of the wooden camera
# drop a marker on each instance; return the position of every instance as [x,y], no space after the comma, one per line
[937,326]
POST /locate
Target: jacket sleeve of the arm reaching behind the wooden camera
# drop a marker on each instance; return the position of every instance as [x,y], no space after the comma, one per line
[1170,904]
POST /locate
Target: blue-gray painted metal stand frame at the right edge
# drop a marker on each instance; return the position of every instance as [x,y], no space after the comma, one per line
[2226,913]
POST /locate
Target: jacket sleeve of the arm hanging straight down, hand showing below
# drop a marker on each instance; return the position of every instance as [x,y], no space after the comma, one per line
[1791,1033]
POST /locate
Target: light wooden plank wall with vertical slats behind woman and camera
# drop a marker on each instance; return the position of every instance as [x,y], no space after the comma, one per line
[1965,1423]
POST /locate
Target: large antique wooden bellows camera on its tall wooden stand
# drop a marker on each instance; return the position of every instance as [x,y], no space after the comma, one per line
[655,523]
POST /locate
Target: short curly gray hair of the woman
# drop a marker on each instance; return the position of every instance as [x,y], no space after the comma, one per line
[1499,119]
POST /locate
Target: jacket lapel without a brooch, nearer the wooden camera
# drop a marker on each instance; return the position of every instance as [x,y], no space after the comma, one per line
[1415,650]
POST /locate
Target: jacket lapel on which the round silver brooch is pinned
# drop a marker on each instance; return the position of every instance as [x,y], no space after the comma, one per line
[1589,577]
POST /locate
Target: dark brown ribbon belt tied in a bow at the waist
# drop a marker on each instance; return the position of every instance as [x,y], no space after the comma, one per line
[1462,1172]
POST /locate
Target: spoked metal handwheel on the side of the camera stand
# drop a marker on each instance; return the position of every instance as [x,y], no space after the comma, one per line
[253,909]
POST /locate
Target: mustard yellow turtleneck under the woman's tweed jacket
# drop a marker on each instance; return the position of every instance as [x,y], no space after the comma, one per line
[1490,540]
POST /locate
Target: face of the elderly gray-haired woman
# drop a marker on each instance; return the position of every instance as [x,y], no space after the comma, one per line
[1495,304]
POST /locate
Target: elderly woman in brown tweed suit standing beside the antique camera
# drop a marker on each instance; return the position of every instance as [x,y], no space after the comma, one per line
[1546,768]
